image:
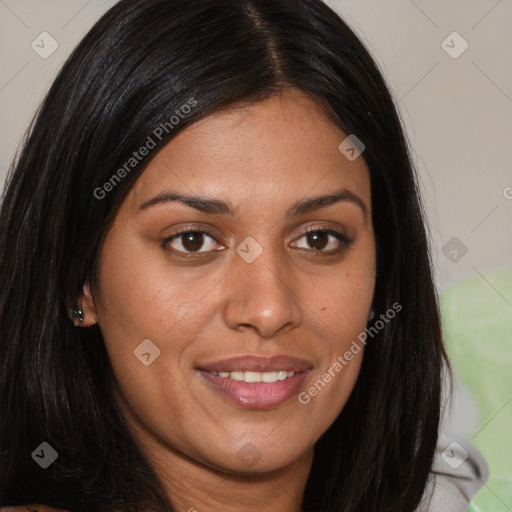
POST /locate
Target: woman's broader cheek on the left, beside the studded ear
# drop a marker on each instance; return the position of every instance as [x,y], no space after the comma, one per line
[144,297]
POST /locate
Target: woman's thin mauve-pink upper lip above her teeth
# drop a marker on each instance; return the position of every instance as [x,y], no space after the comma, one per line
[256,363]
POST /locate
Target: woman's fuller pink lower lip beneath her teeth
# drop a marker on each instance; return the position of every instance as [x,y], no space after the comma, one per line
[256,395]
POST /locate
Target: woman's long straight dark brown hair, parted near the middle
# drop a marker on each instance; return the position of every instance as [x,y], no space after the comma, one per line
[135,68]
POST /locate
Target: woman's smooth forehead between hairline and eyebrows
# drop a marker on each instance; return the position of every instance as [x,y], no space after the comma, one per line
[278,149]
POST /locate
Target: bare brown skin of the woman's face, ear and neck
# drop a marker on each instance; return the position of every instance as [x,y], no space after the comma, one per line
[291,300]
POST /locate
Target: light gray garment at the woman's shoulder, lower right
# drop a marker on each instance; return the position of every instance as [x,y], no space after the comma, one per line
[459,471]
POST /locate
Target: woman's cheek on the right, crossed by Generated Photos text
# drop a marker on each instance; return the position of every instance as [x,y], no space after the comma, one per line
[341,304]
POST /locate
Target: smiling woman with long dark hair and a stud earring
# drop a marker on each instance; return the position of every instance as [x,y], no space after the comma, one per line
[216,291]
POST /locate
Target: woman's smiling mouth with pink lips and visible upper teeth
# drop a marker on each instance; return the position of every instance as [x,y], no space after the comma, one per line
[256,382]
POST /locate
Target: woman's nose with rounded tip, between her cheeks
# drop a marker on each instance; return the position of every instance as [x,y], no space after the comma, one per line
[262,296]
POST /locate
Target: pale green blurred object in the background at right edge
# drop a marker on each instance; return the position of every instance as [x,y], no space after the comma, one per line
[477,326]
